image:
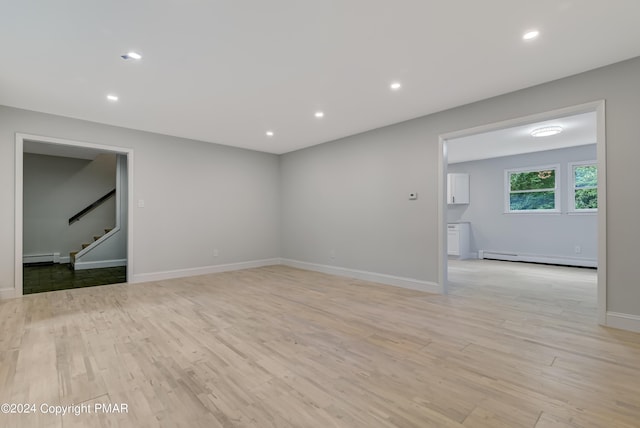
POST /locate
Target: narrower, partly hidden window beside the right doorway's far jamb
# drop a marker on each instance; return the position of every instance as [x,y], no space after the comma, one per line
[583,187]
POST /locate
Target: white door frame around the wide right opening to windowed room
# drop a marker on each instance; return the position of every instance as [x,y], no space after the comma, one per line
[599,108]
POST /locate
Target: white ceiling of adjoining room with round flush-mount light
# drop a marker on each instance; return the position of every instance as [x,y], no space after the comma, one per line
[578,130]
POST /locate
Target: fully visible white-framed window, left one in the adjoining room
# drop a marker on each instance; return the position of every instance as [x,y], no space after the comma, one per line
[532,190]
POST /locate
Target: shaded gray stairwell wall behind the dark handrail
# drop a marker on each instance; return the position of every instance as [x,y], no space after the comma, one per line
[54,189]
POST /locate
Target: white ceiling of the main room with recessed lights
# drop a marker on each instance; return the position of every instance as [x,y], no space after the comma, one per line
[227,71]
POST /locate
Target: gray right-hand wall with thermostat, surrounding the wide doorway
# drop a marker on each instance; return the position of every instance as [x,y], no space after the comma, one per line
[351,194]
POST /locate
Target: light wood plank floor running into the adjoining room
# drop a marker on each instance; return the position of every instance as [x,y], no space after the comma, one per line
[512,346]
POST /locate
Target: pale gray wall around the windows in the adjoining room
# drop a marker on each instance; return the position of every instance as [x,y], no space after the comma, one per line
[538,234]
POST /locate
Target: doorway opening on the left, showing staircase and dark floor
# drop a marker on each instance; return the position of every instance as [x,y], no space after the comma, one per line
[73,216]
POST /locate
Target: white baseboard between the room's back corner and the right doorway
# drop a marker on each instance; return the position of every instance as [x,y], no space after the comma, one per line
[413,284]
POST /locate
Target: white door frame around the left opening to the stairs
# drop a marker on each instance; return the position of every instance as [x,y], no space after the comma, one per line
[19,181]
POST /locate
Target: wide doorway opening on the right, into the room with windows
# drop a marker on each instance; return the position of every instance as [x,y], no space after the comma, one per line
[532,199]
